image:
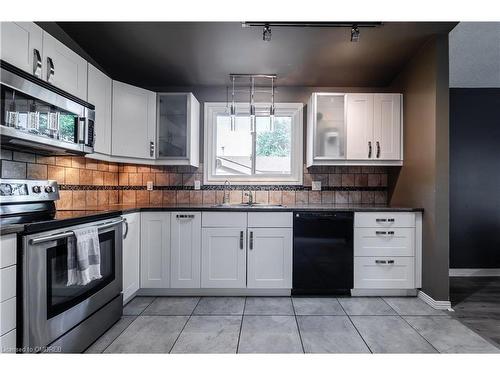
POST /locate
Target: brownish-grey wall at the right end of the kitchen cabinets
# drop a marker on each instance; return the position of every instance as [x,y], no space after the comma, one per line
[423,181]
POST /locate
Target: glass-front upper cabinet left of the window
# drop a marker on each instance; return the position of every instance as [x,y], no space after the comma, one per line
[178,125]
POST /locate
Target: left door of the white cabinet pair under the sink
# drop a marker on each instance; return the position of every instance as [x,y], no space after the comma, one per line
[223,258]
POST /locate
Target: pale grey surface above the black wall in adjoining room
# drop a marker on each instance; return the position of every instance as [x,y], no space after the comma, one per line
[475,54]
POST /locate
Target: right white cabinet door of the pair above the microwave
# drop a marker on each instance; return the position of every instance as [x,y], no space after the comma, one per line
[64,68]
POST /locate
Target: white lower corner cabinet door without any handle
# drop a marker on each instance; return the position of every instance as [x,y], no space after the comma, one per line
[155,250]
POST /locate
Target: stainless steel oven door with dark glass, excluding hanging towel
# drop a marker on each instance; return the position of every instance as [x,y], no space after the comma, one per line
[51,308]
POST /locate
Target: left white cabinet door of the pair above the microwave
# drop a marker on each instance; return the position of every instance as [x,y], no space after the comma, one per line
[21,46]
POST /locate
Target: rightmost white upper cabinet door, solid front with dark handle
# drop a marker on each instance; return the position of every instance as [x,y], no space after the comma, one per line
[387,126]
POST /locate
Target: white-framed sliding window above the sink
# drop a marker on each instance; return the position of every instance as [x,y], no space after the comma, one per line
[270,154]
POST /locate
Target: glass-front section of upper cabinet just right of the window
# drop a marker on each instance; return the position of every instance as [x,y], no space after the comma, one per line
[326,128]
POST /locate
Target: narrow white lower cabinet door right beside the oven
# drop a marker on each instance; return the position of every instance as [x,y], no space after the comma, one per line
[131,255]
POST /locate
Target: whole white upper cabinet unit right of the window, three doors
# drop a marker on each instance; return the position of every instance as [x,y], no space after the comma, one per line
[354,129]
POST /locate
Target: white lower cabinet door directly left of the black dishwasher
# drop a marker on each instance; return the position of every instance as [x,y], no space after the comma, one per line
[269,258]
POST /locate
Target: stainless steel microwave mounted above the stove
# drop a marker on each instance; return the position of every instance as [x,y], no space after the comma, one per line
[36,116]
